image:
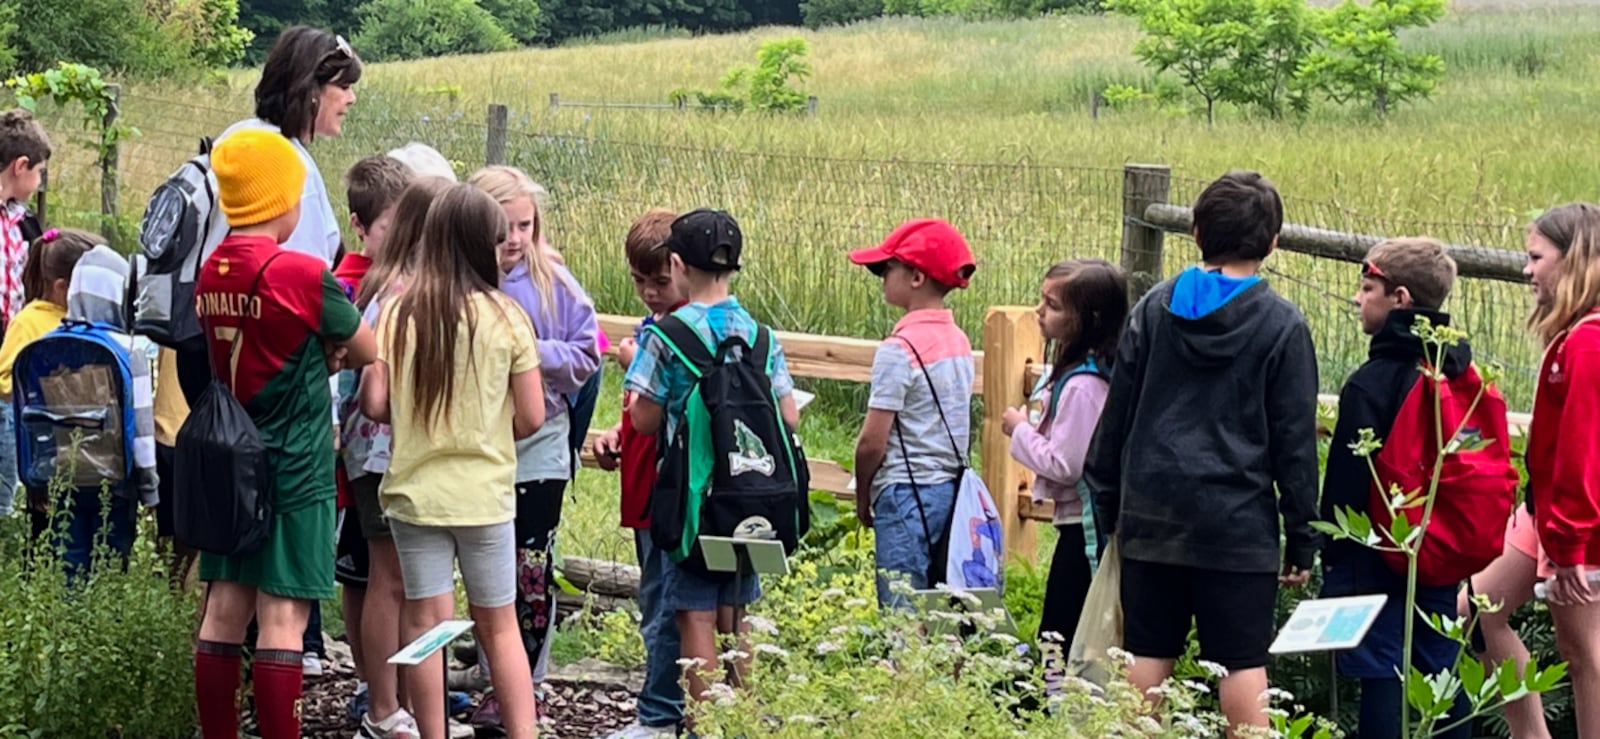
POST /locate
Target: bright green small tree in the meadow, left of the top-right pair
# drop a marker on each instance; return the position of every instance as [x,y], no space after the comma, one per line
[1239,52]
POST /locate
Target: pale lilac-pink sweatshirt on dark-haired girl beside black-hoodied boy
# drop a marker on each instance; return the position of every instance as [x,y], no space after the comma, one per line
[1057,452]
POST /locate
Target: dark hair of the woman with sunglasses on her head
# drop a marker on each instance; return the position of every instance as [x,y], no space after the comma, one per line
[302,62]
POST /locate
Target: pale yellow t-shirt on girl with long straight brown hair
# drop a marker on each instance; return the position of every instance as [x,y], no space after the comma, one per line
[458,469]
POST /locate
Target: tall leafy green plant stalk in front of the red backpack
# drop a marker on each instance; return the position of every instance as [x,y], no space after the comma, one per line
[1487,687]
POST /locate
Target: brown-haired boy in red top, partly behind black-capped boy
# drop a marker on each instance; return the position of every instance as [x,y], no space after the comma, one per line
[662,700]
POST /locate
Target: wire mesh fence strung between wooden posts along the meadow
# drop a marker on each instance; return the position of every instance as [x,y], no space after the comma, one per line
[802,214]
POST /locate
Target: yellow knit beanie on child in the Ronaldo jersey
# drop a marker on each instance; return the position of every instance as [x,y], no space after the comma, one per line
[260,177]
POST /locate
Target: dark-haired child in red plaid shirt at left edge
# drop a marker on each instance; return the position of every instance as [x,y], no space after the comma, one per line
[25,148]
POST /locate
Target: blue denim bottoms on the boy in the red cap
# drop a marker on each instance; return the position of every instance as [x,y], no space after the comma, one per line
[903,546]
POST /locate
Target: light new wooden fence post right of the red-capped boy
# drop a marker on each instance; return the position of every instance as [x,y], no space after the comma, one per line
[1012,340]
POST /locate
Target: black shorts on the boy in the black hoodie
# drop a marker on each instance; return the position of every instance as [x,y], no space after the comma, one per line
[1234,613]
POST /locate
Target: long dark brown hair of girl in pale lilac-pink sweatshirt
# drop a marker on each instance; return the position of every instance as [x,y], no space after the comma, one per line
[1098,295]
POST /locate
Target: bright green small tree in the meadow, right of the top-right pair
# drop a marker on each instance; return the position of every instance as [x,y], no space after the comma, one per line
[1364,60]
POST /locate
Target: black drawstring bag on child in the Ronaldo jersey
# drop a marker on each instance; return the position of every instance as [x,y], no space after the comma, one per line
[223,484]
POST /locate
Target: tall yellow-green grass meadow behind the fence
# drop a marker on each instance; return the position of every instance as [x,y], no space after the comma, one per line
[985,124]
